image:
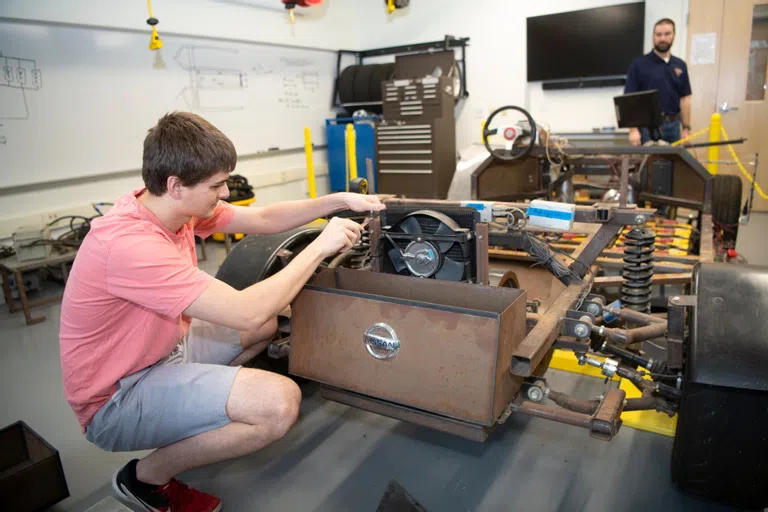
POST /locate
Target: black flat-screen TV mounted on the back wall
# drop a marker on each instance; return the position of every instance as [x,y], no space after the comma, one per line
[585,44]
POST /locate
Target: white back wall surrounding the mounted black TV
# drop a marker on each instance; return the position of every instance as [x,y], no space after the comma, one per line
[496,58]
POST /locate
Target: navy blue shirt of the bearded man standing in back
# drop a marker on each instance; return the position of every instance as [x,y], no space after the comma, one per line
[669,78]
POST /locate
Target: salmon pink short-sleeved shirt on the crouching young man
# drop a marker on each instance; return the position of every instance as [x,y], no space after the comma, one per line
[123,303]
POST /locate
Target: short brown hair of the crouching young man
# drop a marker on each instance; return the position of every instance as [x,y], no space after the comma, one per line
[185,145]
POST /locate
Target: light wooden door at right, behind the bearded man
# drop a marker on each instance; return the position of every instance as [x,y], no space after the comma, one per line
[736,79]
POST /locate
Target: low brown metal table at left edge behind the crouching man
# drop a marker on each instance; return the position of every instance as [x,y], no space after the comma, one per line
[12,266]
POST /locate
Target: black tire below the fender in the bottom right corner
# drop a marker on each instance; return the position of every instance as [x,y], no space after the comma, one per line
[720,451]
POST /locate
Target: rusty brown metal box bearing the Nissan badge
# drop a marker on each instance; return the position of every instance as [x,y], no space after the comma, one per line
[456,341]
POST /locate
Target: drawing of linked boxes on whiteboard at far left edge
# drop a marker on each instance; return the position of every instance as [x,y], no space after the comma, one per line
[19,75]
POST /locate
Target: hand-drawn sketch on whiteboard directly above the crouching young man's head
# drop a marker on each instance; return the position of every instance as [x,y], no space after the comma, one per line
[213,86]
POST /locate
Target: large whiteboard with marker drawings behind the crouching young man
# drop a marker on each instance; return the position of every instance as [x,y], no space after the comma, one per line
[77,102]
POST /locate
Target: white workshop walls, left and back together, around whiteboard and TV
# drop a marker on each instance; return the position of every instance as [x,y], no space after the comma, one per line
[496,67]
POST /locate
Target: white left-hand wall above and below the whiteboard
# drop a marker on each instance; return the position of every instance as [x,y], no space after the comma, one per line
[276,177]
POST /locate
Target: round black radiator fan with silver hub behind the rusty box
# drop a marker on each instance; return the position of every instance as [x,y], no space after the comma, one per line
[428,244]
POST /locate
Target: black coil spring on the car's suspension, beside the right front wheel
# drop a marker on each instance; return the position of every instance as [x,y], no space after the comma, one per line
[638,269]
